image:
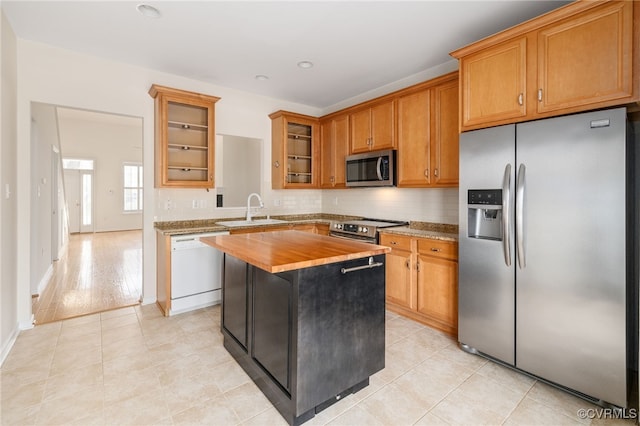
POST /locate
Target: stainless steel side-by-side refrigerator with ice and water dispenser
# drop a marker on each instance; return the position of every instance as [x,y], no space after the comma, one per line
[546,250]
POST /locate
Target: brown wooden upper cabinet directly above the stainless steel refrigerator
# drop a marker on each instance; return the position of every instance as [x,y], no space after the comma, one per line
[576,58]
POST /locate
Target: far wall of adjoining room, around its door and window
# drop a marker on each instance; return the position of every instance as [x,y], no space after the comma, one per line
[110,142]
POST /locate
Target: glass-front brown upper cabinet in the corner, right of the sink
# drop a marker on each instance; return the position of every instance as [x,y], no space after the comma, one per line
[294,150]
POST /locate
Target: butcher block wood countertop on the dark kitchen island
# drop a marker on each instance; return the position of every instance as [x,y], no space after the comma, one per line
[281,251]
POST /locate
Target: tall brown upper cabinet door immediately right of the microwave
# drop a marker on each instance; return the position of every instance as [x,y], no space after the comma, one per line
[414,133]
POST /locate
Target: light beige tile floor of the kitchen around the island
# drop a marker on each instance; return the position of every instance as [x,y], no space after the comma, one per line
[134,366]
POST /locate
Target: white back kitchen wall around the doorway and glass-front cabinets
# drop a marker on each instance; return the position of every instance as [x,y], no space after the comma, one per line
[57,76]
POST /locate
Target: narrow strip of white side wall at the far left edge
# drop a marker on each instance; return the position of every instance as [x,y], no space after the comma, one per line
[8,181]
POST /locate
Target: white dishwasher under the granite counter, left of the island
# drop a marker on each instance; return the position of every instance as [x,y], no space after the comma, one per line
[196,272]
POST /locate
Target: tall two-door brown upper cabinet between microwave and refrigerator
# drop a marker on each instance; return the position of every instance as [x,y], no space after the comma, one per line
[428,134]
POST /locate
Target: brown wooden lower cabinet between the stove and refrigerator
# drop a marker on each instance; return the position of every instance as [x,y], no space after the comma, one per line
[422,280]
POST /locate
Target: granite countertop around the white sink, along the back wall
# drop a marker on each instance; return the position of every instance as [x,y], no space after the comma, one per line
[183,227]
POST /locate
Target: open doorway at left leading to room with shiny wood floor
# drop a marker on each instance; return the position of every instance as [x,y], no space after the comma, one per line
[98,234]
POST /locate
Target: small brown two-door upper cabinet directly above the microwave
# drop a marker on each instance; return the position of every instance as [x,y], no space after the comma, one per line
[372,127]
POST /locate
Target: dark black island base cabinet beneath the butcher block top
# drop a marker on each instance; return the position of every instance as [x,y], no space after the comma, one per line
[306,337]
